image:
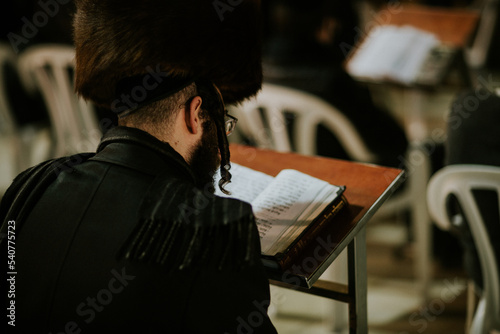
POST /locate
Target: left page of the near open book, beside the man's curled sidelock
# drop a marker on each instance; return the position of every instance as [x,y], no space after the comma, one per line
[245,184]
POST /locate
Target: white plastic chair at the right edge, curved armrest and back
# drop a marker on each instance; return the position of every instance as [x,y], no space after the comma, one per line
[461,180]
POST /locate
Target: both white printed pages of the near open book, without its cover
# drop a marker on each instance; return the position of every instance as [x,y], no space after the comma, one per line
[283,205]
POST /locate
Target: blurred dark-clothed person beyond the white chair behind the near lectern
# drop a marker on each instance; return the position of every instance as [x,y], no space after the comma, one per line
[302,50]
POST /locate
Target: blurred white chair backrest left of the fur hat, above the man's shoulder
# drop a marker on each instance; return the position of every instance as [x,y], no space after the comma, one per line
[49,69]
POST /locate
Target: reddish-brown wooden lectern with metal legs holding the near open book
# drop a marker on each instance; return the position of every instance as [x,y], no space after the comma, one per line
[367,187]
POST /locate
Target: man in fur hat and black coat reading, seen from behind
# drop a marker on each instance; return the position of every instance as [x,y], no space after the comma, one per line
[132,239]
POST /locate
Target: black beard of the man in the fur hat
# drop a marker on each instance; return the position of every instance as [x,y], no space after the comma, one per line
[205,158]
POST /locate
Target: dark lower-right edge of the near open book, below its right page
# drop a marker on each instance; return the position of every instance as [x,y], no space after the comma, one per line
[285,260]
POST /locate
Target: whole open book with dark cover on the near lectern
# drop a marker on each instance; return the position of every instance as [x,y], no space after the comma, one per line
[290,209]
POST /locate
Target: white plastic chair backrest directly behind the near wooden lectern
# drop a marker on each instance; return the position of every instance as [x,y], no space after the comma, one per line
[263,120]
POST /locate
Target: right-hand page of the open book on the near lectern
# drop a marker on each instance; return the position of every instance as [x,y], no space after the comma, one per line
[279,205]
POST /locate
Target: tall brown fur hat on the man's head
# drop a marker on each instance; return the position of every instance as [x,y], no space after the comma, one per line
[216,40]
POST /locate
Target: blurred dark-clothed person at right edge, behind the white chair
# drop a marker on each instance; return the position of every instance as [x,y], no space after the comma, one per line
[472,129]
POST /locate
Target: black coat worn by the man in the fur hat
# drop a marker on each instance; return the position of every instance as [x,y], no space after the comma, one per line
[122,242]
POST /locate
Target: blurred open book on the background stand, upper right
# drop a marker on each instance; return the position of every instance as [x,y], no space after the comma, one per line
[401,54]
